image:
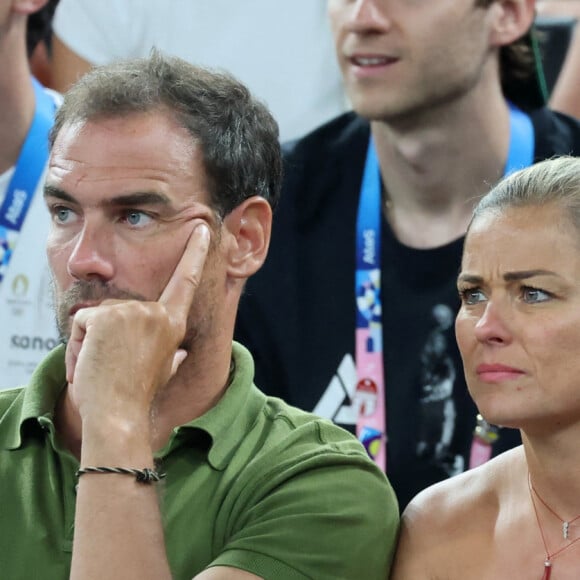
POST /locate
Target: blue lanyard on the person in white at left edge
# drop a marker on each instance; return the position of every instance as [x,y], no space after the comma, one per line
[28,171]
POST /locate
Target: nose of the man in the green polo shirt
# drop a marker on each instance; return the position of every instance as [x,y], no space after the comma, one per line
[92,255]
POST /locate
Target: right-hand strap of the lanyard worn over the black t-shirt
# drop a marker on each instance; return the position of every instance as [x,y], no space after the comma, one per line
[520,155]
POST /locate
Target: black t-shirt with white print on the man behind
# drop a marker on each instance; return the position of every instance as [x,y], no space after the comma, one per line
[297,315]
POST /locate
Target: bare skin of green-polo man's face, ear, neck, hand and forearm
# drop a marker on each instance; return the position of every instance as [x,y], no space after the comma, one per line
[146,284]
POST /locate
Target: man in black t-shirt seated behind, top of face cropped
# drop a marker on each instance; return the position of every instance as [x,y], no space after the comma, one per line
[431,83]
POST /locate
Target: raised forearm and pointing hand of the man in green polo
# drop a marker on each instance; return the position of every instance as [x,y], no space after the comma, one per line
[118,356]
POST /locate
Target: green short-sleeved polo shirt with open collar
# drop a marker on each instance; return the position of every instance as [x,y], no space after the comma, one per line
[254,484]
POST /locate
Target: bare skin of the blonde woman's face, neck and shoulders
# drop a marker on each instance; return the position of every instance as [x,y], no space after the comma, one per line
[520,309]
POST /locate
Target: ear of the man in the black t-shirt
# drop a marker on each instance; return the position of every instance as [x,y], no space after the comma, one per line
[512,19]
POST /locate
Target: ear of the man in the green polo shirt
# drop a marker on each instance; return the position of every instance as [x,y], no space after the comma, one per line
[248,229]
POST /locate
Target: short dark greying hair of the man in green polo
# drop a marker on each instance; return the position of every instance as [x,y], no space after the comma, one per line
[237,135]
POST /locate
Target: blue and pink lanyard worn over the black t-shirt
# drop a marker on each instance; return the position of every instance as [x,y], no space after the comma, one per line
[370,394]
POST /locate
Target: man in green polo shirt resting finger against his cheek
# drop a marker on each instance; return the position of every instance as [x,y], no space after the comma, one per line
[141,448]
